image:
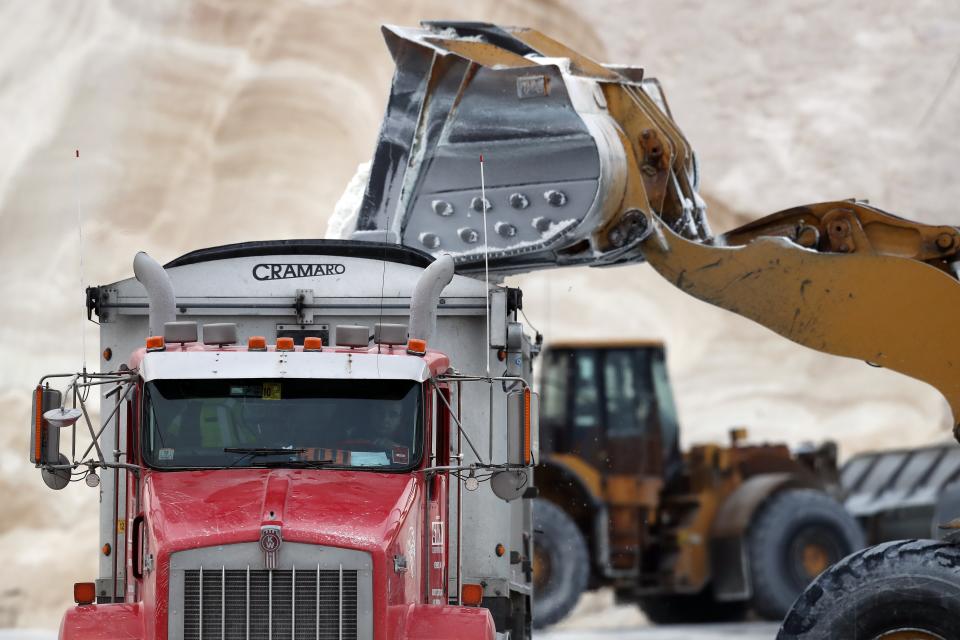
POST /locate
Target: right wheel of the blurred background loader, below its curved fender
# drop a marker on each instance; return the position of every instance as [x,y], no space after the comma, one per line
[794,537]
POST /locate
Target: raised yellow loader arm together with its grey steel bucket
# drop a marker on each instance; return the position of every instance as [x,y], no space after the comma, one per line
[585,166]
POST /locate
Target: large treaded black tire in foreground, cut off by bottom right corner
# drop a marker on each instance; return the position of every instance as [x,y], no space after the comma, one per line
[906,585]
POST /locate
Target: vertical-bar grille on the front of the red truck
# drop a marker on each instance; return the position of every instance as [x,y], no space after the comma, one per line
[262,604]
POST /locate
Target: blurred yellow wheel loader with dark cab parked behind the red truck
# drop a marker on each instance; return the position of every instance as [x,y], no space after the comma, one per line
[698,536]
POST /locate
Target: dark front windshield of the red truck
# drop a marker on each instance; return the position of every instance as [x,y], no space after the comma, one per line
[283,423]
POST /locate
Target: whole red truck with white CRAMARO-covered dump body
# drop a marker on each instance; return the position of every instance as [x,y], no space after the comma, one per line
[303,457]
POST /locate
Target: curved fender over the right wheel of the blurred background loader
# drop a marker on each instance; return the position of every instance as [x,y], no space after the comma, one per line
[729,560]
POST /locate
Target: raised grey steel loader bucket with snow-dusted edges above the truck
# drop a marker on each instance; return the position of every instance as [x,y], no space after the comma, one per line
[556,160]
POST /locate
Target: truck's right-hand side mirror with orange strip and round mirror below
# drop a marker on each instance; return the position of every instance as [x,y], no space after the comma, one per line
[522,441]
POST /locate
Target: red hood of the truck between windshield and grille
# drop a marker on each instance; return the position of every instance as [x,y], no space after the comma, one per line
[352,509]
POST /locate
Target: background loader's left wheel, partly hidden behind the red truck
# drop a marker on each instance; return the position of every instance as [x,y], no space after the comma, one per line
[561,566]
